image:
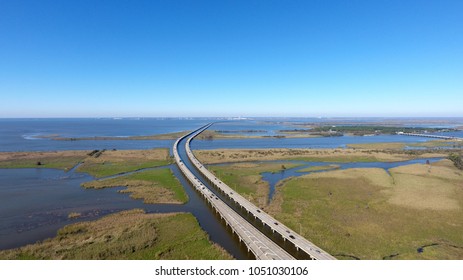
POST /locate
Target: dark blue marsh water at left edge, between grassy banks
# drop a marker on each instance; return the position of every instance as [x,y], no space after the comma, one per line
[35,203]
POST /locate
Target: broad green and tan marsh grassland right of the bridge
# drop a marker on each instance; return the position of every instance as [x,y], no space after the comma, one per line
[409,212]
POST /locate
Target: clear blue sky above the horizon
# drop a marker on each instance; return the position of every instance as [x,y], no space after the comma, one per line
[231,58]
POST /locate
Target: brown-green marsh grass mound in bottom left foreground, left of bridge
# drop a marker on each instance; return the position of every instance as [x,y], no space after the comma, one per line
[126,235]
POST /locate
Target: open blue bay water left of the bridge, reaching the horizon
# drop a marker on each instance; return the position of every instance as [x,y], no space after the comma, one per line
[24,134]
